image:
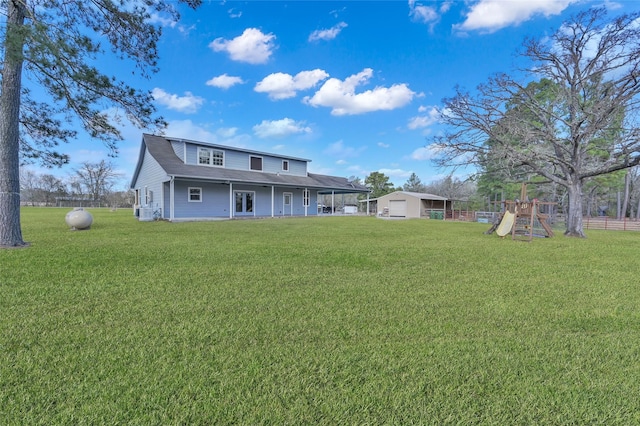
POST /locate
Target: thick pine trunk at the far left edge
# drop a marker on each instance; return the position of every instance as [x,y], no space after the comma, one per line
[10,231]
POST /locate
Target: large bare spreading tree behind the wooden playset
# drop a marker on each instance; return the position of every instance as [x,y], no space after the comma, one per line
[579,119]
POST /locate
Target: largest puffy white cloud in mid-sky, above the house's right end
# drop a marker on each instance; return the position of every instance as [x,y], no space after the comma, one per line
[342,98]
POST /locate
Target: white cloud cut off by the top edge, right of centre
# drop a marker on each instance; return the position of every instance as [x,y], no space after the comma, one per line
[492,15]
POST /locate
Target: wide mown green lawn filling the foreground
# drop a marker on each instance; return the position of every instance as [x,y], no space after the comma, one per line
[339,320]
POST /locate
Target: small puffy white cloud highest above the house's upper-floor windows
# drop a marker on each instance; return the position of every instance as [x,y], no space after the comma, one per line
[252,46]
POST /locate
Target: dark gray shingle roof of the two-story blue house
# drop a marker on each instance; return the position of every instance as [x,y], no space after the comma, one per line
[161,150]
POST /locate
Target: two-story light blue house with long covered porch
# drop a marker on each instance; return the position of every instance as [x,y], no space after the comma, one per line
[178,179]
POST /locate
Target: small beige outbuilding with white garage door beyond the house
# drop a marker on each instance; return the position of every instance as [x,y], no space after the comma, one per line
[411,205]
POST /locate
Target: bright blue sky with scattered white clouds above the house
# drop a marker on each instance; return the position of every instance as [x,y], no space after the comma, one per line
[352,86]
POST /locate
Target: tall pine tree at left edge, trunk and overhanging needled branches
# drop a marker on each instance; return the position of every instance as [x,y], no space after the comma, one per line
[53,45]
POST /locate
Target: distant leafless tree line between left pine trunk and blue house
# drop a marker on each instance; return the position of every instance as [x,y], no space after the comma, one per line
[90,185]
